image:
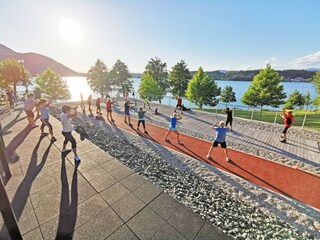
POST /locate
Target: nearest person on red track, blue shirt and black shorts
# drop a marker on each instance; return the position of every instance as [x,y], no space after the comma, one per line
[220,138]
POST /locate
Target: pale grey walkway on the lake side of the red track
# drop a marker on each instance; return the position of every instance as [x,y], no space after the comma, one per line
[247,133]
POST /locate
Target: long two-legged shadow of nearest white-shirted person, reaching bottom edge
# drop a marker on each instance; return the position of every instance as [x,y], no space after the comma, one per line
[68,209]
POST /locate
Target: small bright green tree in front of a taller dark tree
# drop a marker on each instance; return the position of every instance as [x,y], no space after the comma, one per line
[149,87]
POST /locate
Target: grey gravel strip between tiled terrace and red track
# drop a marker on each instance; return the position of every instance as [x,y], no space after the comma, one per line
[238,207]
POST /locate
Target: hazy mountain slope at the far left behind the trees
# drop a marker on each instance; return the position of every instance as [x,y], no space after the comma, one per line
[36,63]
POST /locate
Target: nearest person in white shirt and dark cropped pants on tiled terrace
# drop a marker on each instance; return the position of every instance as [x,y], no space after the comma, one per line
[68,112]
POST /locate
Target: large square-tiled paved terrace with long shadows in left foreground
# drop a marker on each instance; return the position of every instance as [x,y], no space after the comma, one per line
[99,199]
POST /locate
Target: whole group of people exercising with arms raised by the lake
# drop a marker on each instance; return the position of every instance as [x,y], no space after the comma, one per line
[41,107]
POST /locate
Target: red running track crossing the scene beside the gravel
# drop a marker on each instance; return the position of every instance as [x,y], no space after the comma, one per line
[290,182]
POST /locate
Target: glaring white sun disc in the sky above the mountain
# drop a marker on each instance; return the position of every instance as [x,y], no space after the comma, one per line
[70,31]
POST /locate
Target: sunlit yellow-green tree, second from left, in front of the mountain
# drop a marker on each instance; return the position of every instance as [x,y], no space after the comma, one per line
[51,83]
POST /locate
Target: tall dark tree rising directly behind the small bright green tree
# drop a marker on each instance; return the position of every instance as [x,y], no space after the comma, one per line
[158,70]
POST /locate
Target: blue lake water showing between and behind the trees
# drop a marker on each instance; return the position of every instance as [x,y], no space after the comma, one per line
[79,84]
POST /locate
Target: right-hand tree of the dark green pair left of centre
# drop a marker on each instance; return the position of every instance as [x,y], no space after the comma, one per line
[119,77]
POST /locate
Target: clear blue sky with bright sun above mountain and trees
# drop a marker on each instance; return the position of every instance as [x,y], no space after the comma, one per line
[217,35]
